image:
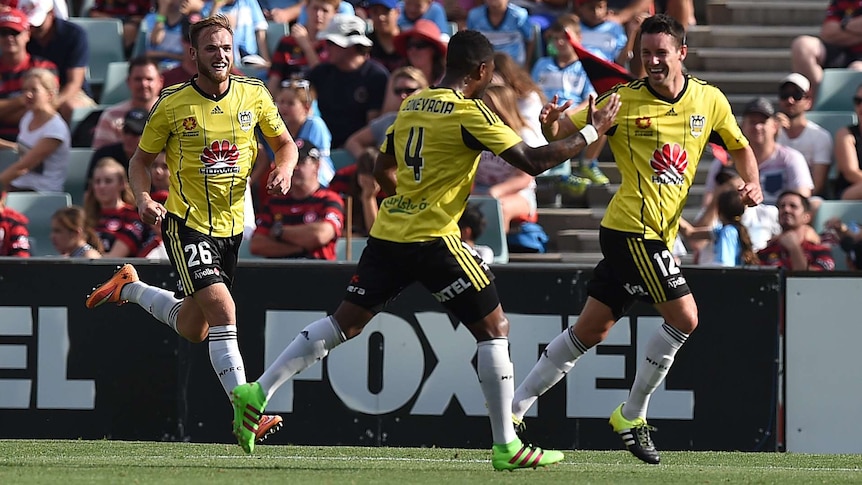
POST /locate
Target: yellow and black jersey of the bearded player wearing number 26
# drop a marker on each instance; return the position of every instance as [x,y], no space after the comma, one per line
[211,147]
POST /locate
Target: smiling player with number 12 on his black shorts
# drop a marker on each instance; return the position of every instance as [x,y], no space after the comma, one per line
[666,120]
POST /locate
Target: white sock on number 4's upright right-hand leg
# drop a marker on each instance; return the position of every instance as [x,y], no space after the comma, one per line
[497,378]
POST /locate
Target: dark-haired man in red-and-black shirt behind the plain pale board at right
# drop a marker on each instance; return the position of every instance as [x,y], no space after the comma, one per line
[798,247]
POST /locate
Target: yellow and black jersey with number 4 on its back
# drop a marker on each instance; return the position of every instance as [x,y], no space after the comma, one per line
[436,138]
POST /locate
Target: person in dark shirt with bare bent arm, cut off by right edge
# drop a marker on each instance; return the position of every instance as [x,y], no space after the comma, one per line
[848,154]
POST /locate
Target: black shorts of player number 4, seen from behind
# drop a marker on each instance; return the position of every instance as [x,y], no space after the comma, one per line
[453,273]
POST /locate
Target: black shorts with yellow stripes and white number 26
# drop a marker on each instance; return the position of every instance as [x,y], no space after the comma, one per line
[199,260]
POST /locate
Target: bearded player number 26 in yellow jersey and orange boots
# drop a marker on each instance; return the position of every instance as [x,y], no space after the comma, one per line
[207,127]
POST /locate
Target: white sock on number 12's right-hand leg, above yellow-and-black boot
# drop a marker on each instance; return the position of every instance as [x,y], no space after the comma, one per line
[660,350]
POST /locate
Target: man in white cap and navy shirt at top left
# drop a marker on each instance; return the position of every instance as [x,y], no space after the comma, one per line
[66,45]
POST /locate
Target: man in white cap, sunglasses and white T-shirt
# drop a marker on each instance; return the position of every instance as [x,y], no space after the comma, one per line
[807,137]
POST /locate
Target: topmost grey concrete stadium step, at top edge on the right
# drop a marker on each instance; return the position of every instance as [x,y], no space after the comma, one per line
[739,12]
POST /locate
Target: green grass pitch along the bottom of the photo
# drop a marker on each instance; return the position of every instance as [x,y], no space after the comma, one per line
[118,462]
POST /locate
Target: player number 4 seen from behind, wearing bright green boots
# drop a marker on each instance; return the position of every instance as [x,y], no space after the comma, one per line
[427,164]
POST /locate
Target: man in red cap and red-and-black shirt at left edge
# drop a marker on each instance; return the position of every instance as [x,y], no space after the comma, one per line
[14,63]
